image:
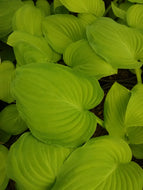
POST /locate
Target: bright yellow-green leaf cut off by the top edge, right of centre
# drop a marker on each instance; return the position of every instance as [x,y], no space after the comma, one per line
[83,6]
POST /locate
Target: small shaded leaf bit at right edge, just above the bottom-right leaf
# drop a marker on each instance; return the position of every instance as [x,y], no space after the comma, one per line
[137,150]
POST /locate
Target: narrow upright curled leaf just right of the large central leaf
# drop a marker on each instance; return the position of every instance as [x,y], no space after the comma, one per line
[115,108]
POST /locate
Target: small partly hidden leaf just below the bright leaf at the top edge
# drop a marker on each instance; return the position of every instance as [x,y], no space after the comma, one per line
[86,18]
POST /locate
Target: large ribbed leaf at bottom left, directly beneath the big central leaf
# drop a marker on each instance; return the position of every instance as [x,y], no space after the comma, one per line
[33,164]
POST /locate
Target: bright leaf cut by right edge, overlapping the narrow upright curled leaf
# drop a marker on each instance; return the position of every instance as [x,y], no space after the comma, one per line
[134,112]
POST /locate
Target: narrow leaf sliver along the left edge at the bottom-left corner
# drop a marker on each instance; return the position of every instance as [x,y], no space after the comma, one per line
[3,160]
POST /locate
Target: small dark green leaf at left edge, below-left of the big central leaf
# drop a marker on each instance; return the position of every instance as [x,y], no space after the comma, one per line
[10,121]
